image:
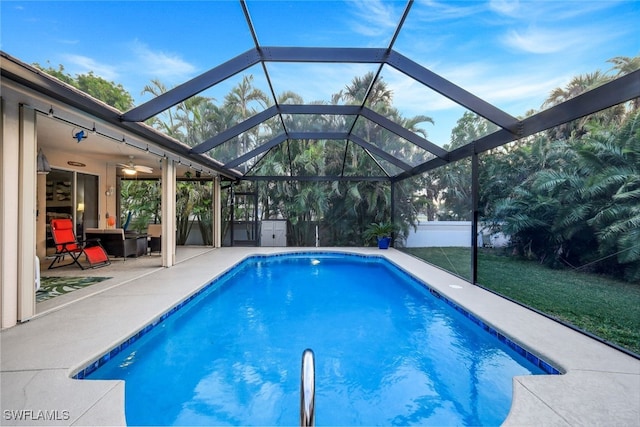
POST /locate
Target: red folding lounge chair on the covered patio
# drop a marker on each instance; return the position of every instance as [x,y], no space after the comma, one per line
[67,244]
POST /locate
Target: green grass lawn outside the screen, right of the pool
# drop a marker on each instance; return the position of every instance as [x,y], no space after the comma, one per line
[604,307]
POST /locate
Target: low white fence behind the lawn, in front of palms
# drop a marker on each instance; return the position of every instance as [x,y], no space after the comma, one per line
[451,233]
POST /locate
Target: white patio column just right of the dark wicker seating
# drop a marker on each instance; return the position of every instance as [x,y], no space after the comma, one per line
[168,247]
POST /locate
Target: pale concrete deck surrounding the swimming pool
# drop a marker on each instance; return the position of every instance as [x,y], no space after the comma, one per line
[600,385]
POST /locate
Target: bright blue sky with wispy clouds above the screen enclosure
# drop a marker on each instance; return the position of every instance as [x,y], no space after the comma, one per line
[511,53]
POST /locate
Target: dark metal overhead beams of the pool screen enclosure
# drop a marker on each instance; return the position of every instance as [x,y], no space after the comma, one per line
[510,128]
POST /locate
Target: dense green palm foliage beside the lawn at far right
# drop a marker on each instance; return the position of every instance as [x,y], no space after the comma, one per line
[581,207]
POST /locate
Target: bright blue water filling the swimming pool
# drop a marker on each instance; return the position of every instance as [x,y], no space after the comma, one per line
[387,351]
